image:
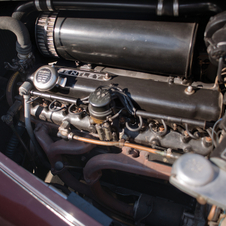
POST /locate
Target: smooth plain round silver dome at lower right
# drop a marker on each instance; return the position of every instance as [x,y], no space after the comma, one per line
[194,170]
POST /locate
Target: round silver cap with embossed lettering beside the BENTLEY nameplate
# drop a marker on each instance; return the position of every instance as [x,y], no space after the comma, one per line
[45,78]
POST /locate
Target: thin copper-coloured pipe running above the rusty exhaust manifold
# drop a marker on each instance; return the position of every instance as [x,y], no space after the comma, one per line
[122,144]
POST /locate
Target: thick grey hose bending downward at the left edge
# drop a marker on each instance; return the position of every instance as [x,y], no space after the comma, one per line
[23,44]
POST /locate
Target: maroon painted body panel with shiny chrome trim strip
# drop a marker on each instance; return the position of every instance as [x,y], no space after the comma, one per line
[21,204]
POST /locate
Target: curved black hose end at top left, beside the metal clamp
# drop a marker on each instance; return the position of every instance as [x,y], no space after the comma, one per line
[24,10]
